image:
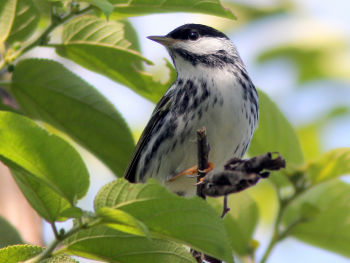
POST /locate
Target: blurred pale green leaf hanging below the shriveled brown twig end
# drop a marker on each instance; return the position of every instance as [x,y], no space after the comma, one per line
[240,221]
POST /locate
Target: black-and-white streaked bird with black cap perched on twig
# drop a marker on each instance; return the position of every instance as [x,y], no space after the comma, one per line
[212,90]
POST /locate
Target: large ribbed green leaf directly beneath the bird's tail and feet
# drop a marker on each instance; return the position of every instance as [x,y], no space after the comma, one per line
[190,221]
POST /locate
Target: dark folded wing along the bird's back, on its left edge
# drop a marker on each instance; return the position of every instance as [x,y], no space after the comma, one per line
[161,109]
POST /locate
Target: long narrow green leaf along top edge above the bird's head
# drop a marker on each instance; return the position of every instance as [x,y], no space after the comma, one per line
[141,7]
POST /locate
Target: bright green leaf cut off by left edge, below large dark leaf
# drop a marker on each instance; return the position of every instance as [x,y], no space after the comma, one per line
[46,167]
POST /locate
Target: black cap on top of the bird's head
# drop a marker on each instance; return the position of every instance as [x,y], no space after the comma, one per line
[184,32]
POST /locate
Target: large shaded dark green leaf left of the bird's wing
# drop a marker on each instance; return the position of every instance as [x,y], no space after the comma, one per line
[47,91]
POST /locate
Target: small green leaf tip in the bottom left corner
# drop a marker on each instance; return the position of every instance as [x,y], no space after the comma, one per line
[18,253]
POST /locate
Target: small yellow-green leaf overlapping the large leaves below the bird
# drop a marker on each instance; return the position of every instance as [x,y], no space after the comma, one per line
[122,221]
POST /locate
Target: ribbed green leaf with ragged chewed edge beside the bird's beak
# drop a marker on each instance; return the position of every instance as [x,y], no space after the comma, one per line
[100,46]
